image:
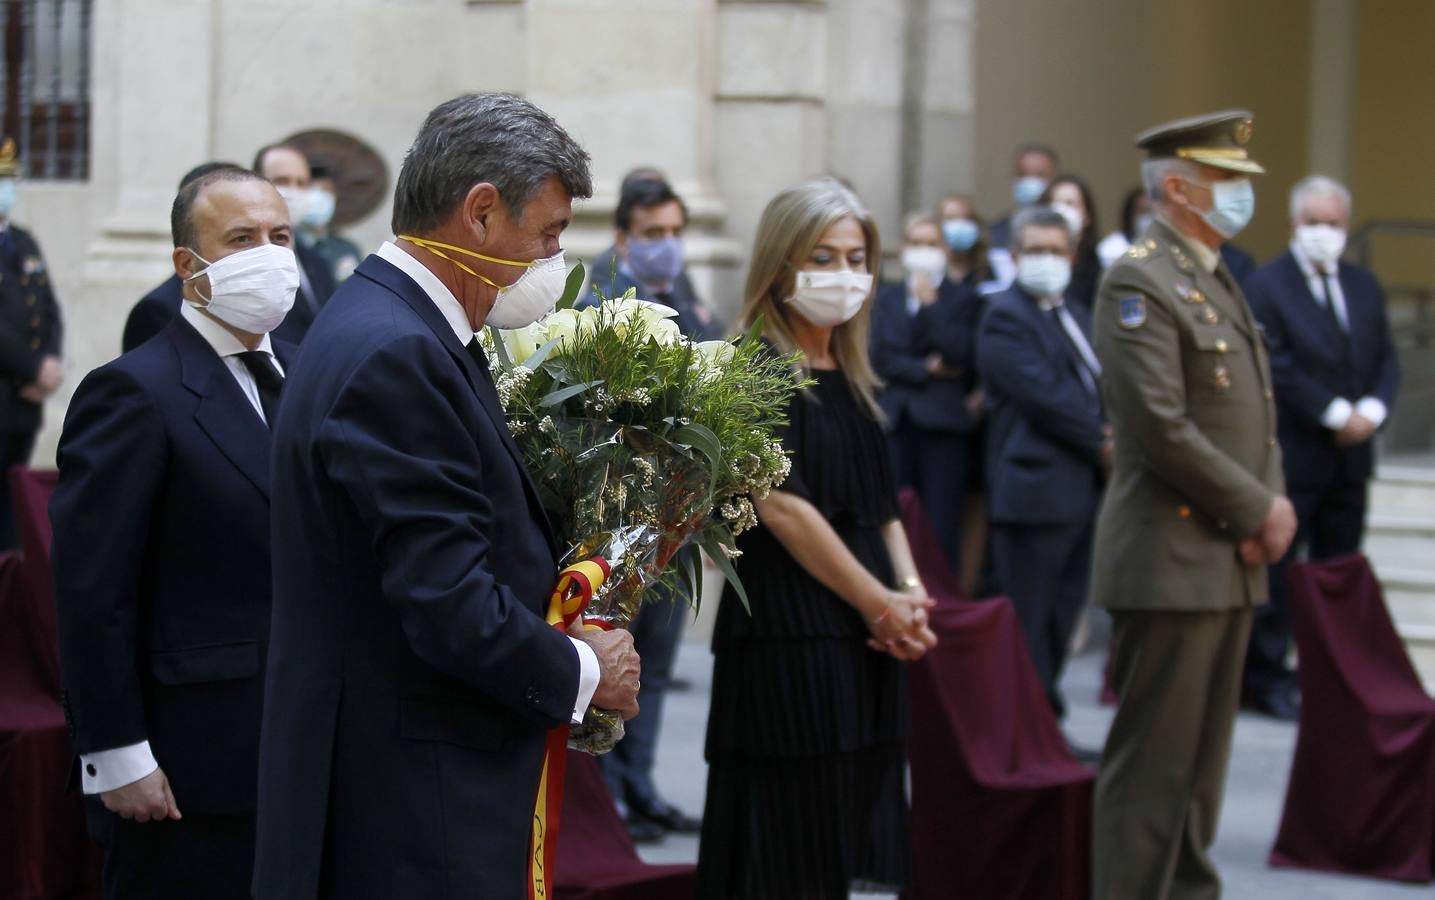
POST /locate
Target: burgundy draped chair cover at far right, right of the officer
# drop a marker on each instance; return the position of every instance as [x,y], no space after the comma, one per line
[1363,783]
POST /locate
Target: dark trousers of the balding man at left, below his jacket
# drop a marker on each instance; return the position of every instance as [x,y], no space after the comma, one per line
[209,856]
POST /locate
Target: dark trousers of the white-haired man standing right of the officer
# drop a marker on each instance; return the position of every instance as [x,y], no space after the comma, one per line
[1330,523]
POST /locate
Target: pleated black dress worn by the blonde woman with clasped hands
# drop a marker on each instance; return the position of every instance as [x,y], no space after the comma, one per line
[806,782]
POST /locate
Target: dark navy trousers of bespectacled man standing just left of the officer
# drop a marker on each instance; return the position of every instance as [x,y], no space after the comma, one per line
[1045,571]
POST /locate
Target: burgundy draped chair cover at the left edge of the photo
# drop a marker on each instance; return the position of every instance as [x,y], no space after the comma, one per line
[45,852]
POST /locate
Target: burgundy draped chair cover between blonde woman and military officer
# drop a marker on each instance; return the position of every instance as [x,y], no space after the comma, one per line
[999,806]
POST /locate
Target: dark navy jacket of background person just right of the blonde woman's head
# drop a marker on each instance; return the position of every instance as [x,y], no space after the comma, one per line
[900,345]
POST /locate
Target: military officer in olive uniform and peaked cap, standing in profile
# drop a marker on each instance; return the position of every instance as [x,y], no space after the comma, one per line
[1193,513]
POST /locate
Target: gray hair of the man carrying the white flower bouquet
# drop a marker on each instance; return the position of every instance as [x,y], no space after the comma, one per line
[496,139]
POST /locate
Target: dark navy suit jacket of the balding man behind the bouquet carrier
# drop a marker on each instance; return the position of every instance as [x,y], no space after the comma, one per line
[161,563]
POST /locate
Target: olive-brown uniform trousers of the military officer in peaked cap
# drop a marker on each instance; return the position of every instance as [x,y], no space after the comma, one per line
[1163,772]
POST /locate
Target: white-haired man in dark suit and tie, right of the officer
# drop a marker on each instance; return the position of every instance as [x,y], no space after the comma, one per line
[1337,374]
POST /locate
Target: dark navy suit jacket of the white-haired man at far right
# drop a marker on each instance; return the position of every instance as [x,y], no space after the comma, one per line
[1312,362]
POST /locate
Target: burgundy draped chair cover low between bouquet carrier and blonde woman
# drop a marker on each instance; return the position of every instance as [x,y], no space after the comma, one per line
[596,858]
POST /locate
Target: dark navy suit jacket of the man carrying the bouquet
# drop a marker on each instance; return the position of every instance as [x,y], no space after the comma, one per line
[413,675]
